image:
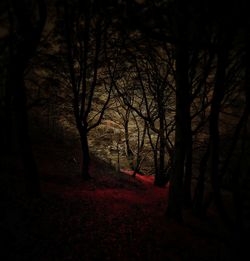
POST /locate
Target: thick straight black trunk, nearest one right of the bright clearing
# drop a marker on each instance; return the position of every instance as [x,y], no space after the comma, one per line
[175,201]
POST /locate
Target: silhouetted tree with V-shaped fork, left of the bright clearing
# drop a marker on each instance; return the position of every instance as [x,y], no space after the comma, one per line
[86,34]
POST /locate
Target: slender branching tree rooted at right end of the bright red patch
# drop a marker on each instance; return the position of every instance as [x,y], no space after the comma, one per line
[147,93]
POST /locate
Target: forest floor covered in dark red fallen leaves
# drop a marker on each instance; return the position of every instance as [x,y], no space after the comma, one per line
[111,217]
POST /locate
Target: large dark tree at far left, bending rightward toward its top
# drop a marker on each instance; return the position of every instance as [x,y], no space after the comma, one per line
[26,23]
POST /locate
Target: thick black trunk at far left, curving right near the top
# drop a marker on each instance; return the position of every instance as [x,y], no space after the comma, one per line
[29,36]
